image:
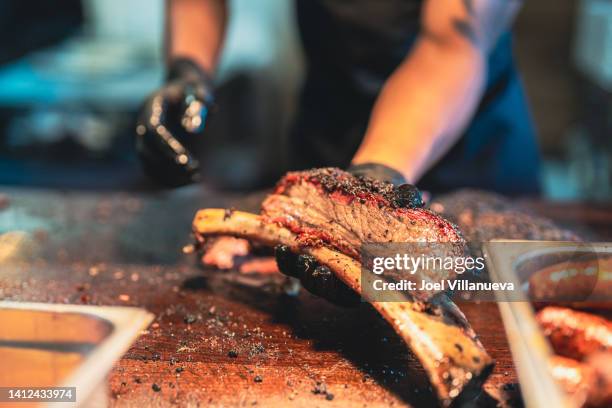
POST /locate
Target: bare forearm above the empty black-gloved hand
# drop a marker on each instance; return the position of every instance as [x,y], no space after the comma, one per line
[195,29]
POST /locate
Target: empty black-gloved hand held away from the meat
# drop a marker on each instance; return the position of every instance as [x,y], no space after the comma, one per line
[171,123]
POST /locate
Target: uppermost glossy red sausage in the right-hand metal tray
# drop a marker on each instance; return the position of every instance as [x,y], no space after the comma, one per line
[575,334]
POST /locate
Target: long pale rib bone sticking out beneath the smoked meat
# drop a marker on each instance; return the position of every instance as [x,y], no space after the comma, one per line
[437,333]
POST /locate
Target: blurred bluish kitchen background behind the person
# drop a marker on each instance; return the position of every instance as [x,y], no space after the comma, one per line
[74,72]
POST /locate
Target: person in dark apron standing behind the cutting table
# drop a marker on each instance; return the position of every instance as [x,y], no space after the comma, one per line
[424,92]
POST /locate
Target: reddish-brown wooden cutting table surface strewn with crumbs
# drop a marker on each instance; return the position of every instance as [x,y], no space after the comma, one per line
[222,338]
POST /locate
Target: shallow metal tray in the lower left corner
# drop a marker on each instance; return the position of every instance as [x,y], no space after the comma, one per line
[53,345]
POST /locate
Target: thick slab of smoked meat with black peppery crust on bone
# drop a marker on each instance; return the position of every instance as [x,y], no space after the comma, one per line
[334,207]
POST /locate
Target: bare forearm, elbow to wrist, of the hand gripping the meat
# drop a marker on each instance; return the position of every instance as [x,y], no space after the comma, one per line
[423,108]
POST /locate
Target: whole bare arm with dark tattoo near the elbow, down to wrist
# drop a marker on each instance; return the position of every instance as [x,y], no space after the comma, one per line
[431,97]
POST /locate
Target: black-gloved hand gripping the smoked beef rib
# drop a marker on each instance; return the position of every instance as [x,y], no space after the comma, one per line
[319,279]
